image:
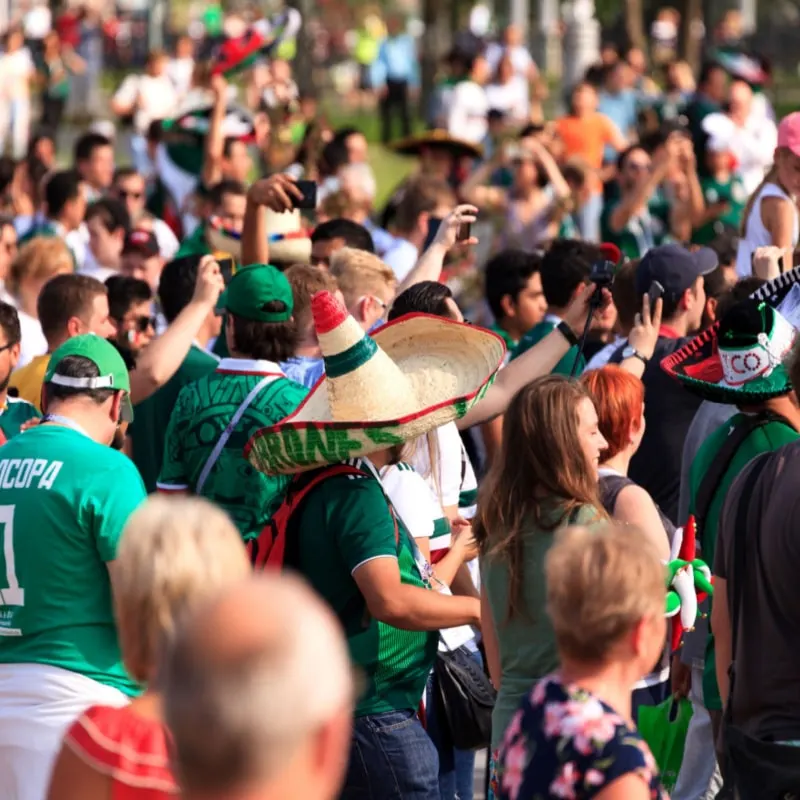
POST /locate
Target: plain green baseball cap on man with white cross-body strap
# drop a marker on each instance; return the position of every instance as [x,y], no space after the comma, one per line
[252,287]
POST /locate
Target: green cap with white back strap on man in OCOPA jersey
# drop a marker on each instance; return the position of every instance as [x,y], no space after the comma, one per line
[109,363]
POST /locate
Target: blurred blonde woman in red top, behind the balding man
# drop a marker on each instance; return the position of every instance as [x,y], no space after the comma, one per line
[174,555]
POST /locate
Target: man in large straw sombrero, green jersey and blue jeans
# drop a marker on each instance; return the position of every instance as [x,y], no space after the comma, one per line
[345,538]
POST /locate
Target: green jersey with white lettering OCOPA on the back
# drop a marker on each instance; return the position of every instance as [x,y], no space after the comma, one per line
[64,501]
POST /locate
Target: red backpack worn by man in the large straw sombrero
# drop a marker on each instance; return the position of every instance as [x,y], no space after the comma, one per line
[274,546]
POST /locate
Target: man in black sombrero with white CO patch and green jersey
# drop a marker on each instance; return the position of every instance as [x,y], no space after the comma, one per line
[740,362]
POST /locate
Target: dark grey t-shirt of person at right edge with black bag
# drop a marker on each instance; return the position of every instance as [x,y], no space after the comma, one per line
[766,695]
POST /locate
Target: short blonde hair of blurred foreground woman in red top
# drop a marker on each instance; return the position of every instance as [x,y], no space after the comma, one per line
[174,553]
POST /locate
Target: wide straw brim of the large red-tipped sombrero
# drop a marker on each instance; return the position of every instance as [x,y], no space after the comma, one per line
[449,366]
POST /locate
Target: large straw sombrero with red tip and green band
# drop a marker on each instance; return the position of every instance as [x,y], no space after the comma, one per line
[413,375]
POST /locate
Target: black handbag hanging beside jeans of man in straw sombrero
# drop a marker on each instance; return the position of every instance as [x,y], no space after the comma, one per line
[464,698]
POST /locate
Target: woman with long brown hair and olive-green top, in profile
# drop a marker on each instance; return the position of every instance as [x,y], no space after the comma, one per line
[544,479]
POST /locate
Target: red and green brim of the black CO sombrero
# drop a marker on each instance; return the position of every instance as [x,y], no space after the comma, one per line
[698,367]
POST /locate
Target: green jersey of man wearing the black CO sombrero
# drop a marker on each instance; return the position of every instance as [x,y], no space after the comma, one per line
[765,439]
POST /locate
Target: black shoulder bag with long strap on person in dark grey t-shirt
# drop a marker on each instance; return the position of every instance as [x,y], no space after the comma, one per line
[758,769]
